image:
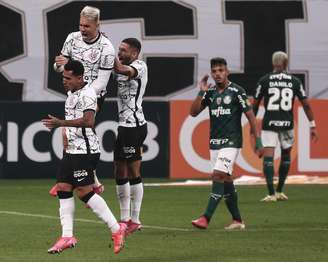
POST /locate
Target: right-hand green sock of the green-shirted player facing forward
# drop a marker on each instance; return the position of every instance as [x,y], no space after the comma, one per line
[231,199]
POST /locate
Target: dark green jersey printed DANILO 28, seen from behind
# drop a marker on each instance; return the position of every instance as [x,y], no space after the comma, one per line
[279,91]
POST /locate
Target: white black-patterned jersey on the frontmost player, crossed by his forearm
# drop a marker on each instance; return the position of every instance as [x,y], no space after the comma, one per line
[81,140]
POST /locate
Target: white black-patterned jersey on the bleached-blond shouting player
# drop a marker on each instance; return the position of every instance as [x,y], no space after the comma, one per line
[95,56]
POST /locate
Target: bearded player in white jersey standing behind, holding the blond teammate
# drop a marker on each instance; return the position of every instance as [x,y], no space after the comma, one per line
[131,75]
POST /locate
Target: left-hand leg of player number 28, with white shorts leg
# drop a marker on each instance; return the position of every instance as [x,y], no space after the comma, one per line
[269,141]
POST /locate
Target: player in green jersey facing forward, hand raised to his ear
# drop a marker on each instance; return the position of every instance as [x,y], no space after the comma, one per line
[226,102]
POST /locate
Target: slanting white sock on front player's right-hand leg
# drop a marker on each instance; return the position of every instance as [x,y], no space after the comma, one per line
[100,208]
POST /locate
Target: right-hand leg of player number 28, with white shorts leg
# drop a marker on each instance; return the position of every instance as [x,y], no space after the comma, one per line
[286,140]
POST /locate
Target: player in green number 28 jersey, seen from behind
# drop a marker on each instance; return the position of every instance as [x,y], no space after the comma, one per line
[279,89]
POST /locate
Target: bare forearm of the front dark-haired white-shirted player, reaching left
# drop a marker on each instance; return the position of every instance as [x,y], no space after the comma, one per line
[88,120]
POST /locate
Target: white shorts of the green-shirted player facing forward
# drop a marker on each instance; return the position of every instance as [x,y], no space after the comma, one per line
[224,159]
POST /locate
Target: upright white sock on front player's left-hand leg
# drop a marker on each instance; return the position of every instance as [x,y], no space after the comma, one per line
[66,214]
